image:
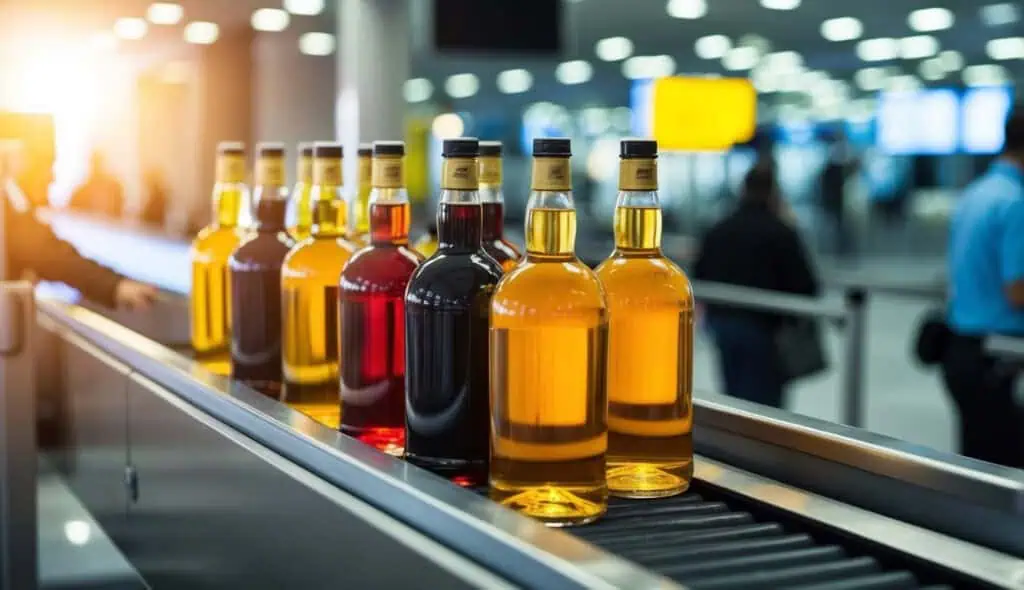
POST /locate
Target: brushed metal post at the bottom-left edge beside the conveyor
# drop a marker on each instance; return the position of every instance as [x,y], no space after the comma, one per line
[19,560]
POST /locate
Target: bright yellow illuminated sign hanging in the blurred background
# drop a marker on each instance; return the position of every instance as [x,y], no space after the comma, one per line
[704,114]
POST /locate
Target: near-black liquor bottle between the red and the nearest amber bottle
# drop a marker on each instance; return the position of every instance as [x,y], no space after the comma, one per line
[448,309]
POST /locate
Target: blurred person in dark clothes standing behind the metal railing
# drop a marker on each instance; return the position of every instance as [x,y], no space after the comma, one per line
[756,246]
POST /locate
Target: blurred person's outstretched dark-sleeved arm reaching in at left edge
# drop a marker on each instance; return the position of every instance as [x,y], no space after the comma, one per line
[34,252]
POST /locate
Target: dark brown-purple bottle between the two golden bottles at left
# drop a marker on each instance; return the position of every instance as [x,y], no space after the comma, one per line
[255,271]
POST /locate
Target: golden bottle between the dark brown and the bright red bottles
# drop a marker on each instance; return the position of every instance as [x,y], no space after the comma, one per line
[310,291]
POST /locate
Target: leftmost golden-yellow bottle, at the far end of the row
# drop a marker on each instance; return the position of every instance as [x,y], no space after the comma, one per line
[210,308]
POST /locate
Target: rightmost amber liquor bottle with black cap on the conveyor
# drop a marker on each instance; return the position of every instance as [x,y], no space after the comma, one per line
[651,343]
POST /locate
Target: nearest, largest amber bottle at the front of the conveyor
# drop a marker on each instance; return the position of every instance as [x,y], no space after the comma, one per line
[548,348]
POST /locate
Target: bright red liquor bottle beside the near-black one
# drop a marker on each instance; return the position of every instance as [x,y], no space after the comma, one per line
[373,312]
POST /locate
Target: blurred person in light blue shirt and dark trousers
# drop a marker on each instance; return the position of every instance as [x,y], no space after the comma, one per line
[987,273]
